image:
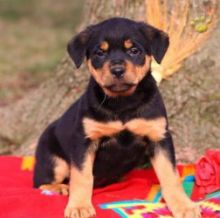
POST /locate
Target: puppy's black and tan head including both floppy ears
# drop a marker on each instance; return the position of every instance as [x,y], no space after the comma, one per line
[118,53]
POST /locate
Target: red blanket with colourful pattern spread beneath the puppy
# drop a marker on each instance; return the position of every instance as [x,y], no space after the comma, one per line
[19,200]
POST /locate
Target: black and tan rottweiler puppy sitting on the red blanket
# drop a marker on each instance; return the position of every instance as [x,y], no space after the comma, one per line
[117,124]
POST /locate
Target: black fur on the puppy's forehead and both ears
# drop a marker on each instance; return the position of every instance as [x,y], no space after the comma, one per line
[146,37]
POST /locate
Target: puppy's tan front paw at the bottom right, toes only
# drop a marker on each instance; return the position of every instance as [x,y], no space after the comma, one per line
[189,210]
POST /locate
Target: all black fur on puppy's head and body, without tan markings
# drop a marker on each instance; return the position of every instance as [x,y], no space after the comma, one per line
[65,137]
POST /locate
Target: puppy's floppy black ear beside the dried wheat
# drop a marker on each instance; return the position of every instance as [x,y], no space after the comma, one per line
[157,39]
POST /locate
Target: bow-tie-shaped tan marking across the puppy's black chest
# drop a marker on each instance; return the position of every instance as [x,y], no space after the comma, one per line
[155,129]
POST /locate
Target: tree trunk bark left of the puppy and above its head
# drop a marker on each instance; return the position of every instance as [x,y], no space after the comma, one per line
[22,122]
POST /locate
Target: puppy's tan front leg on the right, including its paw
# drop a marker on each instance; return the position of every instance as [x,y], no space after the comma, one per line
[172,190]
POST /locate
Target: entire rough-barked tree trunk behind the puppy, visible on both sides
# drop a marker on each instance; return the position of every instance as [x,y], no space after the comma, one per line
[191,96]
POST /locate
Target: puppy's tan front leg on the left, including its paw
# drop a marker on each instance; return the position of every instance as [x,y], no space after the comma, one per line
[80,190]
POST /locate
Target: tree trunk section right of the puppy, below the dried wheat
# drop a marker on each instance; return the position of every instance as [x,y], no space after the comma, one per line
[192,97]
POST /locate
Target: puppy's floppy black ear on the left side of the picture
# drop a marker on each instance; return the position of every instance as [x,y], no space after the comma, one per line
[77,47]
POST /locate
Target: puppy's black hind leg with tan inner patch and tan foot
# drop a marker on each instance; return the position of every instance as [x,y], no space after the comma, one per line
[50,170]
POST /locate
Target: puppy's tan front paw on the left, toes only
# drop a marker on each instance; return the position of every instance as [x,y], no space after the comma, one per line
[73,211]
